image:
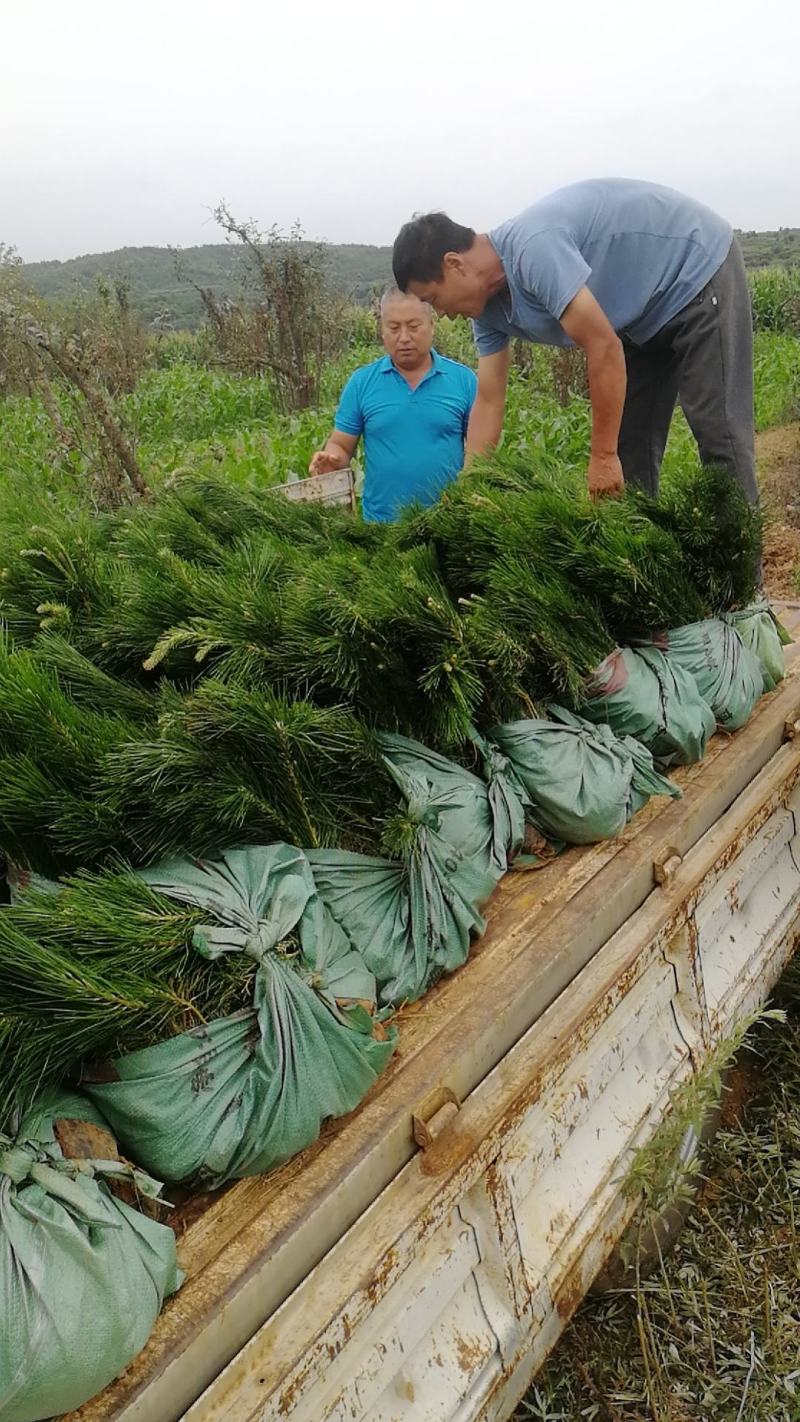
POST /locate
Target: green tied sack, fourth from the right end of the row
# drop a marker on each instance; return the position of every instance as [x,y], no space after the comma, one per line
[583,783]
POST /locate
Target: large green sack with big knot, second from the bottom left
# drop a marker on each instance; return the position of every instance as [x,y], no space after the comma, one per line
[251,1090]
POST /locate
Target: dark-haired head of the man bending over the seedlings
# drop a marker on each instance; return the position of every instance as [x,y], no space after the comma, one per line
[443,264]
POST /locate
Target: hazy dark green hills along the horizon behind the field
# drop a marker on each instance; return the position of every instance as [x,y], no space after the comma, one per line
[355,269]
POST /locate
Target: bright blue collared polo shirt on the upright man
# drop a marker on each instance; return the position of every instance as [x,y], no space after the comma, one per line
[413,439]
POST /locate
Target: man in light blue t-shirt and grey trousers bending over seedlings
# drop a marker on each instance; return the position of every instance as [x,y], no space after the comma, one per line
[649,282]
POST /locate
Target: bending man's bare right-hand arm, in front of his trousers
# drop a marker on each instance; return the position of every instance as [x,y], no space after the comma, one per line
[588,325]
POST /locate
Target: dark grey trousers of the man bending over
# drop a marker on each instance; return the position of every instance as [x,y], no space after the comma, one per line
[704,356]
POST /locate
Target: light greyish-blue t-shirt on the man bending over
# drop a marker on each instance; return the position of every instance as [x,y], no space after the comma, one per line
[643,251]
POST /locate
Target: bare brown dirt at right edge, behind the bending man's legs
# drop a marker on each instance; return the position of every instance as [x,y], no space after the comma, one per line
[778,456]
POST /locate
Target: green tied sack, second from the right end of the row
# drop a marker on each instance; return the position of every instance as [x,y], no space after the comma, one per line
[728,675]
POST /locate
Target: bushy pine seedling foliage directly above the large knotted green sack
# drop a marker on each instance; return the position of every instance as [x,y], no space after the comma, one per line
[234,767]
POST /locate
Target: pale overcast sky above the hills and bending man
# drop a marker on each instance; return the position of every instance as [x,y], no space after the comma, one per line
[124,123]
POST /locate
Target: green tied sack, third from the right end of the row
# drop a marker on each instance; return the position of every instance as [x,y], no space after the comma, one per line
[637,692]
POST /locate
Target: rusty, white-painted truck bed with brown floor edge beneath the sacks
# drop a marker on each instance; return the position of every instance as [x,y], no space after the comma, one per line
[566,945]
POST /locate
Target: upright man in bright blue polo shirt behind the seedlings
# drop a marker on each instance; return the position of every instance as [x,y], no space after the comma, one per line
[413,409]
